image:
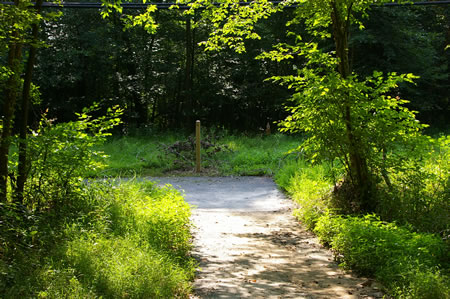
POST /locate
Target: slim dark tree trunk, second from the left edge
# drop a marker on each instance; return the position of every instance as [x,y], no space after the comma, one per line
[23,159]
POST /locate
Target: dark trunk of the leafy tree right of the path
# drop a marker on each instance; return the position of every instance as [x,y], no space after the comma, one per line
[358,169]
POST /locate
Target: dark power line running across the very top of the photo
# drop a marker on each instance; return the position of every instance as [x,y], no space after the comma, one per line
[164,5]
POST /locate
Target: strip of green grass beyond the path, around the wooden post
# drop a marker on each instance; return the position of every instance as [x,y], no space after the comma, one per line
[230,155]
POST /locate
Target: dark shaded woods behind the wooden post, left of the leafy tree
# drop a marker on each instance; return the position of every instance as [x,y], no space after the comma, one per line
[145,73]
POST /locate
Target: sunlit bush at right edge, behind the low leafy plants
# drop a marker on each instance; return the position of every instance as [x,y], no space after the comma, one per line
[419,194]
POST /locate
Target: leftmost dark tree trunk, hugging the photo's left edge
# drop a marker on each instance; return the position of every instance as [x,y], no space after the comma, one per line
[11,91]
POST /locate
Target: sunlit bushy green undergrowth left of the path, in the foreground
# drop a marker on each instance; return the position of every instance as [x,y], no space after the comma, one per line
[114,241]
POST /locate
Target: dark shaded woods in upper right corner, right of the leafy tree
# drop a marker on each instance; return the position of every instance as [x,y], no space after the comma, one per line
[399,35]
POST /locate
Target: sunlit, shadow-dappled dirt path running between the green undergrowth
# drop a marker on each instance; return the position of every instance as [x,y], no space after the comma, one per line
[250,246]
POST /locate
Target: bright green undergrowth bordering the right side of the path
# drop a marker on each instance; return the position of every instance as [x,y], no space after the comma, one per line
[407,249]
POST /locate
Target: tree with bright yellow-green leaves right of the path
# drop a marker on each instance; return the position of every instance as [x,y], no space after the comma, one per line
[347,118]
